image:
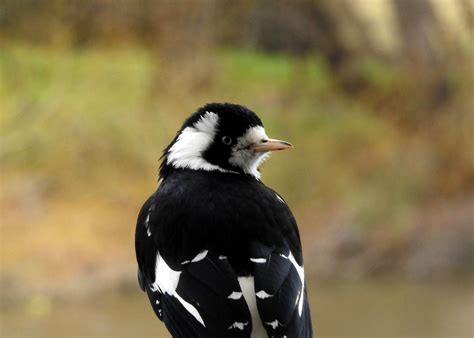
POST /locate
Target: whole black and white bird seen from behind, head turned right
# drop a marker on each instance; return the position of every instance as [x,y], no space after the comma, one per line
[219,253]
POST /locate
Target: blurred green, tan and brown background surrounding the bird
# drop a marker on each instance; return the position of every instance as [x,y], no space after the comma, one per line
[375,95]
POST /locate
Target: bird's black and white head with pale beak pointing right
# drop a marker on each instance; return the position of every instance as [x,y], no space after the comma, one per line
[220,136]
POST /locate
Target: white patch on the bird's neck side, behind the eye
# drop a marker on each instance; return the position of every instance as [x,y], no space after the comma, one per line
[187,151]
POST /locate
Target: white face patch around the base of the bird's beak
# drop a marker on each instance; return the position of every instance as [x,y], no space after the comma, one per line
[247,159]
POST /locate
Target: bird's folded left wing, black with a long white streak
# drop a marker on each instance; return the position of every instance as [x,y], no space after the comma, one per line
[200,297]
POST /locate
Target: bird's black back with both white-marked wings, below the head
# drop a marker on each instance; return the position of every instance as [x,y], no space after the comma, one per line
[200,235]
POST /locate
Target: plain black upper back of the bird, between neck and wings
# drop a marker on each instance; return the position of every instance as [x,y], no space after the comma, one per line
[196,210]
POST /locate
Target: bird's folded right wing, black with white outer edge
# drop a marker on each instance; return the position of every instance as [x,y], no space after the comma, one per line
[280,291]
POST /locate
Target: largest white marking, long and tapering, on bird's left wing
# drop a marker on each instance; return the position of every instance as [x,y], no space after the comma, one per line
[167,280]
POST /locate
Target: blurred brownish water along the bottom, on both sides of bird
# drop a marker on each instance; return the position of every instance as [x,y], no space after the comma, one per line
[349,309]
